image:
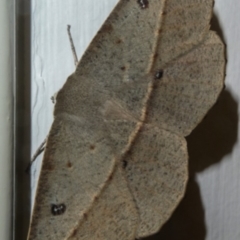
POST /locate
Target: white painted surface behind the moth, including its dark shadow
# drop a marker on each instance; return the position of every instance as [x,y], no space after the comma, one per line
[216,167]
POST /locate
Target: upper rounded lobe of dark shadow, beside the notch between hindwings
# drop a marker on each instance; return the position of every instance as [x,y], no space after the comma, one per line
[215,136]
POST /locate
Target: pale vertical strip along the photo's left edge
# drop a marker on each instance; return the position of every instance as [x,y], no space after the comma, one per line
[6,122]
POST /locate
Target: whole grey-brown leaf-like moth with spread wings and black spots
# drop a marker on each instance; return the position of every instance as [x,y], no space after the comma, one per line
[115,163]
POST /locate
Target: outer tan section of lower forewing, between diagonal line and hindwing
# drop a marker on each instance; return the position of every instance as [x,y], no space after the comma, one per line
[113,215]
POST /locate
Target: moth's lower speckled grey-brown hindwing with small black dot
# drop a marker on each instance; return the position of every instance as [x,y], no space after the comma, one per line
[156,169]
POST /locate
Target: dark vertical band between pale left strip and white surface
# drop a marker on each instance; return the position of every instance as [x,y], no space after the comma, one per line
[21,207]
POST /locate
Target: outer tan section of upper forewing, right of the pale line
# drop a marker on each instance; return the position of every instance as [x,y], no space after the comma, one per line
[184,24]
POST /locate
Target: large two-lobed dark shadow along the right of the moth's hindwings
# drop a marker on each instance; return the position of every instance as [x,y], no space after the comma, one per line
[213,139]
